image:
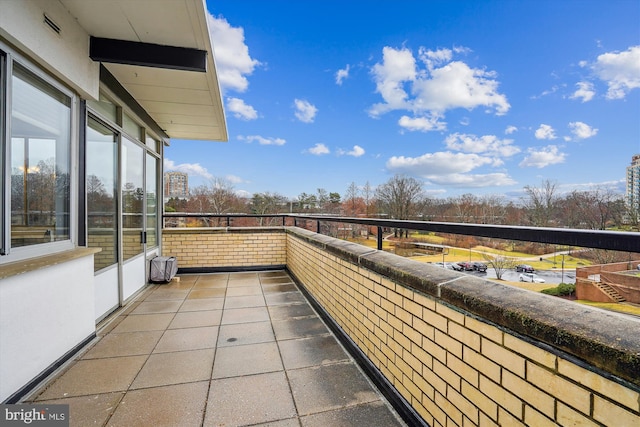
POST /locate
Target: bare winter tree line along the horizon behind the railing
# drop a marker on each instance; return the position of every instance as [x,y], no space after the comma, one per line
[403,198]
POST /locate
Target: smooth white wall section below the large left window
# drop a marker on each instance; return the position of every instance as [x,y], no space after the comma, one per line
[44,313]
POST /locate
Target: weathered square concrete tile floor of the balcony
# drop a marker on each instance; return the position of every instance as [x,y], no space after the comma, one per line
[232,349]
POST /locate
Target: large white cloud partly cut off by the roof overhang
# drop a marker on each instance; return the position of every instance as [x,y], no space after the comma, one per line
[233,61]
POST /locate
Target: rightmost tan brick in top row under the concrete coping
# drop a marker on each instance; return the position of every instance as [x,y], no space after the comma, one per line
[601,385]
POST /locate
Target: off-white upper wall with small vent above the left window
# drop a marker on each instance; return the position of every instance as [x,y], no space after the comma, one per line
[66,55]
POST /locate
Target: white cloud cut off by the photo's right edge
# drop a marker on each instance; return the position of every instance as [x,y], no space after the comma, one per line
[620,71]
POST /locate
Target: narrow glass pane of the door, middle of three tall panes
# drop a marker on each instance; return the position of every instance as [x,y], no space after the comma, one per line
[132,198]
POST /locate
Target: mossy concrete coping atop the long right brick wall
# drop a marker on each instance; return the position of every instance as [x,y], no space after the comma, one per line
[605,340]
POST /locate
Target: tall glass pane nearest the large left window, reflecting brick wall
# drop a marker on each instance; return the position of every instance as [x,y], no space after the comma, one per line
[101,193]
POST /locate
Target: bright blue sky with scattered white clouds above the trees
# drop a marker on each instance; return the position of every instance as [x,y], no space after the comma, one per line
[481,97]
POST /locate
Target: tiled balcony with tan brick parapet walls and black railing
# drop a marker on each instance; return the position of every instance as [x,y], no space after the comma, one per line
[443,348]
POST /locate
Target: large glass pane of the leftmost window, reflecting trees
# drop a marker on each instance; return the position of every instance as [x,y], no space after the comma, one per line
[40,161]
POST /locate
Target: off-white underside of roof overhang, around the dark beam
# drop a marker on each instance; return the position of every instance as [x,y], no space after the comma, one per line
[185,104]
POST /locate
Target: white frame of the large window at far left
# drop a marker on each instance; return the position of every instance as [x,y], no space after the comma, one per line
[8,57]
